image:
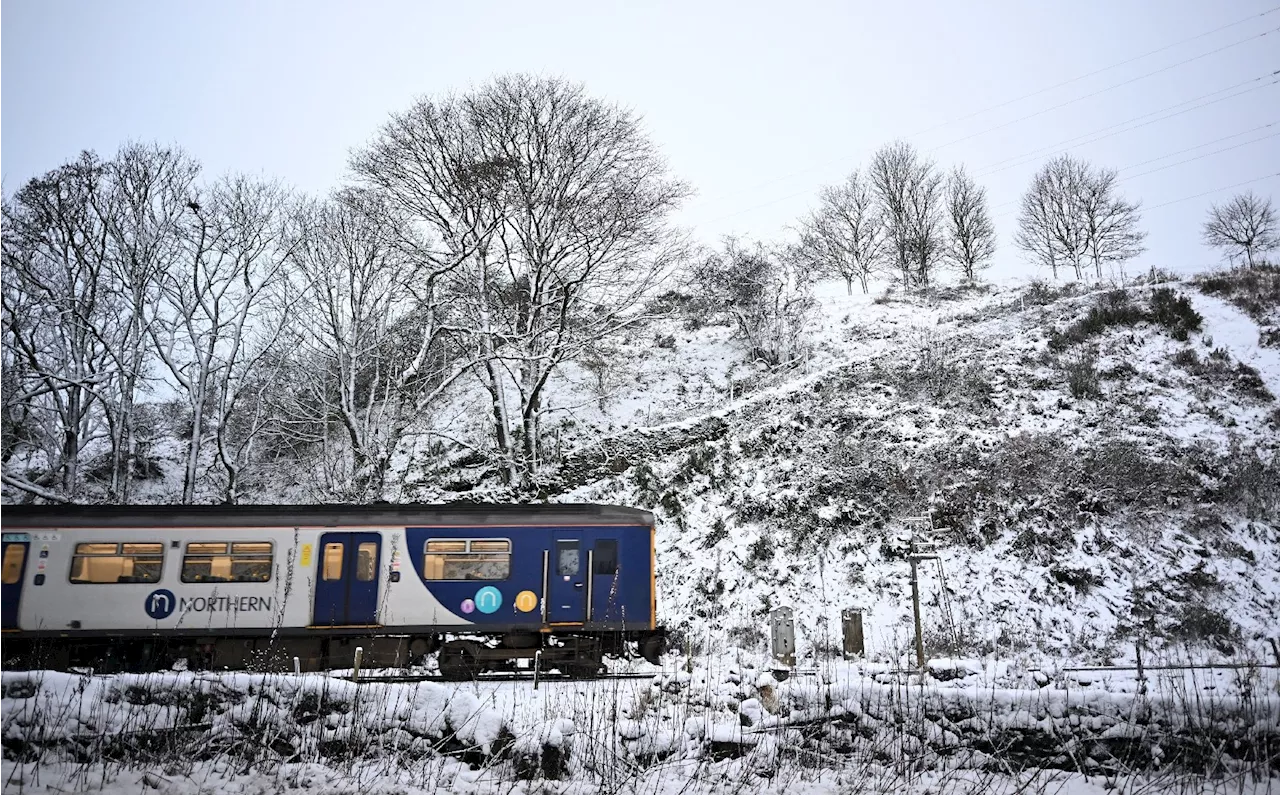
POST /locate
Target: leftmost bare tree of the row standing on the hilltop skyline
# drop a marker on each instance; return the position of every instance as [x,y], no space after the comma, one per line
[845,236]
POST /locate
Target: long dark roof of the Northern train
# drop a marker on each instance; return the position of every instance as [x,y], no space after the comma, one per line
[71,517]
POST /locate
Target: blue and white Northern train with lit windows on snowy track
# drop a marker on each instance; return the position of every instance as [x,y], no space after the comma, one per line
[479,587]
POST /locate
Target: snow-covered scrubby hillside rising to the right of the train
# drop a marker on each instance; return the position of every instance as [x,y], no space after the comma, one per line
[1092,492]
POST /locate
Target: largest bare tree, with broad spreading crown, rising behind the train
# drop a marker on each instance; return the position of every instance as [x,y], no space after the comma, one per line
[551,209]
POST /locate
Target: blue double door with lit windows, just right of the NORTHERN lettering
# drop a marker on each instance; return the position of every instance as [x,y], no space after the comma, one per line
[348,579]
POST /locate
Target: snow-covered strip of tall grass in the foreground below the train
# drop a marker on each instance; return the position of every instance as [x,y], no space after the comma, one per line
[721,724]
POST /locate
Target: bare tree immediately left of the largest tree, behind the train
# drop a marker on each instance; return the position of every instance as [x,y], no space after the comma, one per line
[373,335]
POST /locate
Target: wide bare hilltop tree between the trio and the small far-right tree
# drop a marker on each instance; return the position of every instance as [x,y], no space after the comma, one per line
[1072,214]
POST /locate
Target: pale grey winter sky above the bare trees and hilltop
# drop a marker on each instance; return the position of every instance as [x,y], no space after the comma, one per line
[756,104]
